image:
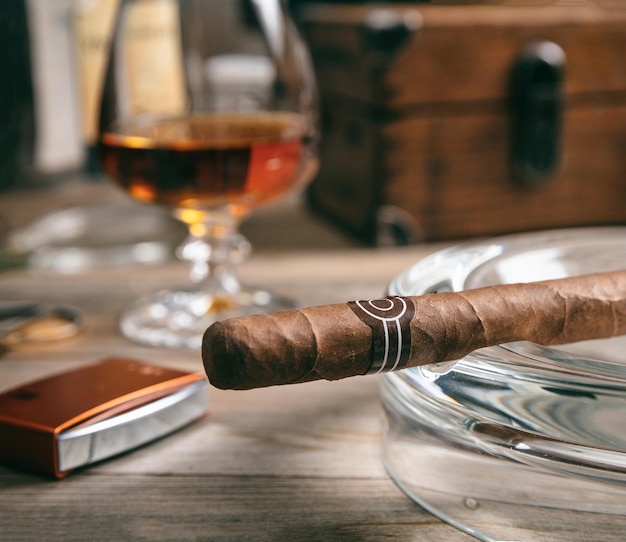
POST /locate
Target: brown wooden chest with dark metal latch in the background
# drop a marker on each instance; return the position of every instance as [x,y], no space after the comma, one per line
[444,122]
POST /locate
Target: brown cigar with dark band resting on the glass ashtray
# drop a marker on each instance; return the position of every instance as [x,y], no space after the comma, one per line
[365,337]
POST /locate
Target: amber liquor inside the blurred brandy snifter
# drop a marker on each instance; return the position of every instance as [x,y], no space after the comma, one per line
[208,160]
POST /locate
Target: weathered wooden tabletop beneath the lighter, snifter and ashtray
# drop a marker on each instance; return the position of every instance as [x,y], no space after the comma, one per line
[289,463]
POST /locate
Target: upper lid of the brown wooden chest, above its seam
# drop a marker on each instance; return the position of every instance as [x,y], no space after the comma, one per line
[400,55]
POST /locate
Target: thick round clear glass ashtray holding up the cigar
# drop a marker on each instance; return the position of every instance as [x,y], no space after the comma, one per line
[518,441]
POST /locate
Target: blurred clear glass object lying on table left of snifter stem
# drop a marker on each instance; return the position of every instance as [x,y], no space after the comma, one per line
[98,235]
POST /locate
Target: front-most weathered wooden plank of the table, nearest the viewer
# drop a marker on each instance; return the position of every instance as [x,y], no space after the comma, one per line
[220,508]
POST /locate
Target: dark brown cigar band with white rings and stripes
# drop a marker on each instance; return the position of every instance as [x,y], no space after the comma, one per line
[389,320]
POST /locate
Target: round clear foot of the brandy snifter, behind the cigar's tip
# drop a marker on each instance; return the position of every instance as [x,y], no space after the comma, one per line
[173,319]
